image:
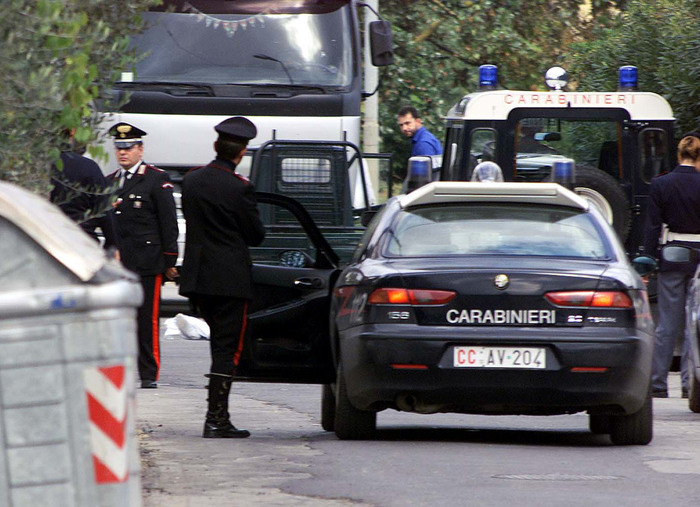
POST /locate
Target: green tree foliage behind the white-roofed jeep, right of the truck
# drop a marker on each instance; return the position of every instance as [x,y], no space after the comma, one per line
[440,44]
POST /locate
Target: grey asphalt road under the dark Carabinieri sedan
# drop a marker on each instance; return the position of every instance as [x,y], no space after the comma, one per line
[417,460]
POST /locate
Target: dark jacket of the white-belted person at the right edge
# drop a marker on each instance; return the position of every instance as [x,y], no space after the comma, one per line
[674,200]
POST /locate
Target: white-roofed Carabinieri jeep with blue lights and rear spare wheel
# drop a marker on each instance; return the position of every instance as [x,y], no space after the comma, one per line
[618,140]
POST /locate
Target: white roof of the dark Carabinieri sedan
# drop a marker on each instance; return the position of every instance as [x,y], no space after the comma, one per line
[449,192]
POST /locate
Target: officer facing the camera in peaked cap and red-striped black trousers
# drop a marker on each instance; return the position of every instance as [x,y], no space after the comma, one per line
[147,227]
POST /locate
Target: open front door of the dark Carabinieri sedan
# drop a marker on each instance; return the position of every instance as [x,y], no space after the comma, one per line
[293,275]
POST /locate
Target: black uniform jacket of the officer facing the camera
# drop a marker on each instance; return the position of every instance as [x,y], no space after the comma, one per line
[146,221]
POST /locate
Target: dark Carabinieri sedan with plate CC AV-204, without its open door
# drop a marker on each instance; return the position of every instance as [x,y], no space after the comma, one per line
[505,298]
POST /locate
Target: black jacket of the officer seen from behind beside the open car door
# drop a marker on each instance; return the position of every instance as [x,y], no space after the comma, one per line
[222,221]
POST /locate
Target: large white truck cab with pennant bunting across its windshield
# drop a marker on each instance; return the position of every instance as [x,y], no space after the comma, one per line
[294,68]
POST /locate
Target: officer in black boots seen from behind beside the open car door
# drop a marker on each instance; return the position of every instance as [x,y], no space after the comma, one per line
[222,222]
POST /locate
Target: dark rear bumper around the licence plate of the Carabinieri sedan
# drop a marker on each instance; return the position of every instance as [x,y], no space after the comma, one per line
[368,354]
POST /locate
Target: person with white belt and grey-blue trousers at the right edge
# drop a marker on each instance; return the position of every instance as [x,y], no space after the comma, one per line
[674,201]
